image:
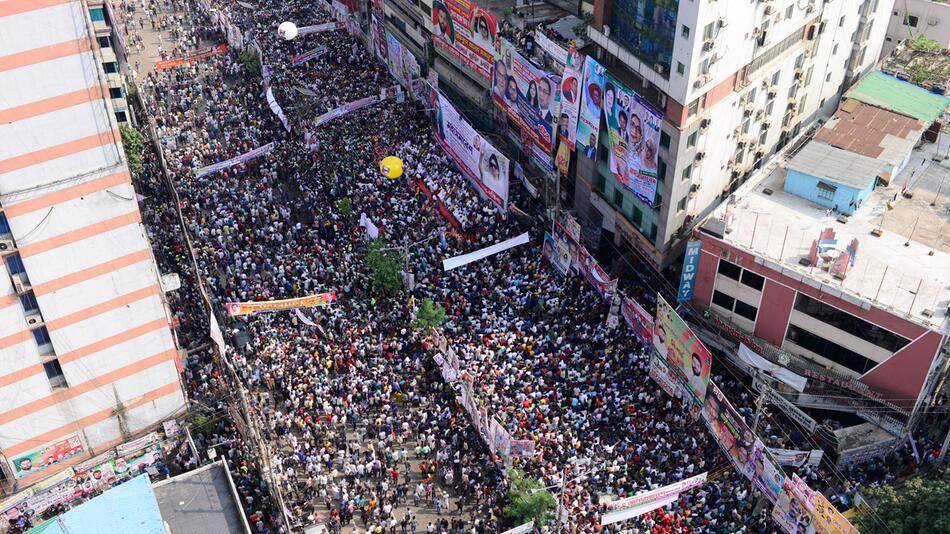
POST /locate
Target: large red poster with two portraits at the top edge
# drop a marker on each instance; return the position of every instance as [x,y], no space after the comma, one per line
[465,31]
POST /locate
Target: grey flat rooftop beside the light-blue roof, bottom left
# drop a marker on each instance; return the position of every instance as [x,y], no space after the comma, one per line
[200,501]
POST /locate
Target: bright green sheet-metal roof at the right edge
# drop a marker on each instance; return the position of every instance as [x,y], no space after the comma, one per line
[888,92]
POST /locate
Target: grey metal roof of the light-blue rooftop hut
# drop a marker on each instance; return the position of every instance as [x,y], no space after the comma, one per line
[840,166]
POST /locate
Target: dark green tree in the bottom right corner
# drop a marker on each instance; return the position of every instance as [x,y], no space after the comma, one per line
[917,505]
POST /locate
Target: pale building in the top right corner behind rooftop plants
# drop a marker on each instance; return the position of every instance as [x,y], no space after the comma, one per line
[912,18]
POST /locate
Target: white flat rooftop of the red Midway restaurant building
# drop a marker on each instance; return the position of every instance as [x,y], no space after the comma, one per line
[910,281]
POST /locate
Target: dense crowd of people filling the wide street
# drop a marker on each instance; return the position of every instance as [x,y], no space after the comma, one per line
[361,431]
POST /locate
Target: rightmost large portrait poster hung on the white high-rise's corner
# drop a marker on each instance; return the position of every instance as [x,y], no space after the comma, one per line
[634,134]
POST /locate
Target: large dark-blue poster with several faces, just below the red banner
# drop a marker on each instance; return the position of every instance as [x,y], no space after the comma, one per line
[527,94]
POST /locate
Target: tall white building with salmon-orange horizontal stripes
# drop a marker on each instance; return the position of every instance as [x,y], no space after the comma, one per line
[88,354]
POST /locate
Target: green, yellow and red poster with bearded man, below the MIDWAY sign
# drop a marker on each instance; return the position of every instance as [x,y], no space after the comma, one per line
[681,348]
